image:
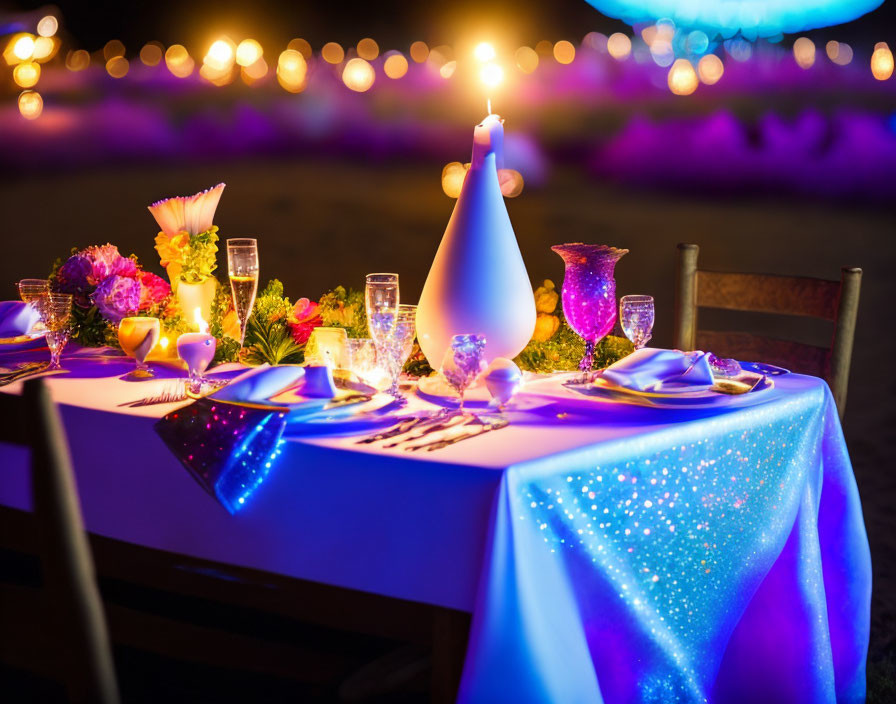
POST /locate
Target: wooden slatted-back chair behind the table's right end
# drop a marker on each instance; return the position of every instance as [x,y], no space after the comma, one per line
[836,301]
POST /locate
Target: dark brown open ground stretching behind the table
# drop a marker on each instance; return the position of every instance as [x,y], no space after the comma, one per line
[323,224]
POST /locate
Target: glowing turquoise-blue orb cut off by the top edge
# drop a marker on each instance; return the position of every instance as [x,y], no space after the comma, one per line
[753,19]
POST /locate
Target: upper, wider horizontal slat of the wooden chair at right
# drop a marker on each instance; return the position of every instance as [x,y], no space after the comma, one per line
[768,293]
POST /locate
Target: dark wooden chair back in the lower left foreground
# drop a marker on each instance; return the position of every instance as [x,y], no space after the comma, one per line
[69,578]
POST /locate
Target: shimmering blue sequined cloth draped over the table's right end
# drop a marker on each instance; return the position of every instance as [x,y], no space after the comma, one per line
[718,560]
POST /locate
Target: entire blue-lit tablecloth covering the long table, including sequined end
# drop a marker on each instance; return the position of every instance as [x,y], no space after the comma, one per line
[616,554]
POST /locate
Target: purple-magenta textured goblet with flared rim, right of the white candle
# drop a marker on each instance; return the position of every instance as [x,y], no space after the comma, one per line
[589,293]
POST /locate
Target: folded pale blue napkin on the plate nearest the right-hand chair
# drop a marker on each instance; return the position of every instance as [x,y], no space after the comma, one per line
[648,369]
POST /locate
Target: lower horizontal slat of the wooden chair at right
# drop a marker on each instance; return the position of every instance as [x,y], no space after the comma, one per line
[795,356]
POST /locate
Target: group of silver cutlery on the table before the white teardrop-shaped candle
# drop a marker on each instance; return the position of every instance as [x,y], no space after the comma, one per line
[448,427]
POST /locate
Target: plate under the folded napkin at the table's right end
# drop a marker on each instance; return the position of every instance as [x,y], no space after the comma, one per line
[703,398]
